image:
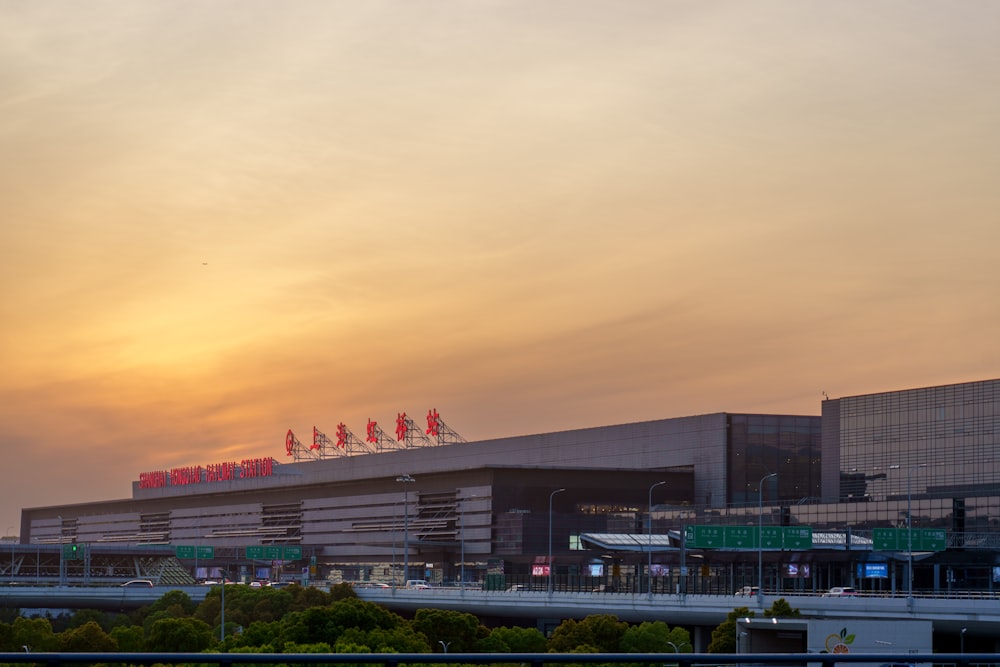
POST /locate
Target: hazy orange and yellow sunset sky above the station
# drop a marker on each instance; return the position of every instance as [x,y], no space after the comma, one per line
[221,220]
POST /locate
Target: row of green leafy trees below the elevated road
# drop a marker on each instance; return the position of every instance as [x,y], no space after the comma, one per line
[308,620]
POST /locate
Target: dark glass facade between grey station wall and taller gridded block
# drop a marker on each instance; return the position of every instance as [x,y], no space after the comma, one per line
[760,445]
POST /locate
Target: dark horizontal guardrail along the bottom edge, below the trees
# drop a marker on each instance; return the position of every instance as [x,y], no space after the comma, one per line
[534,659]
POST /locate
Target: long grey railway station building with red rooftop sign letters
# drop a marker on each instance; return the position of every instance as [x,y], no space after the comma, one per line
[857,496]
